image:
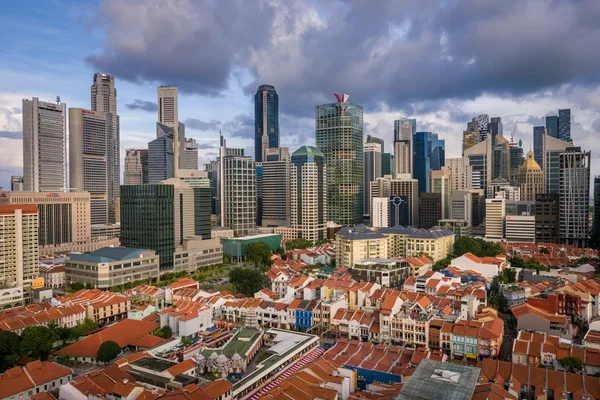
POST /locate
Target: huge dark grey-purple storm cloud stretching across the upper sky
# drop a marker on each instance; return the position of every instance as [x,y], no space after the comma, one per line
[397,52]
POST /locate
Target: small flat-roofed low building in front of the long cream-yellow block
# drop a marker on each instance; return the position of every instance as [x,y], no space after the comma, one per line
[385,272]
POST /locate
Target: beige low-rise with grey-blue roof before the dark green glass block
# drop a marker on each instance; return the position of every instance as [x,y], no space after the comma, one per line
[112,266]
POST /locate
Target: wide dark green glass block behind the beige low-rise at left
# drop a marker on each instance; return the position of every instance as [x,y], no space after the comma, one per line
[148,220]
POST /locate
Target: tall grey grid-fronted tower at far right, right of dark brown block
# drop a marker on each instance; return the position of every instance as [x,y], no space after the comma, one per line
[574,197]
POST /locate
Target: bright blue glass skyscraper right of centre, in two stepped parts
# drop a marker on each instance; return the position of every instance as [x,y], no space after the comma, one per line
[429,154]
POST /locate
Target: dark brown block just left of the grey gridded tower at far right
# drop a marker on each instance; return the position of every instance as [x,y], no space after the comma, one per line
[547,218]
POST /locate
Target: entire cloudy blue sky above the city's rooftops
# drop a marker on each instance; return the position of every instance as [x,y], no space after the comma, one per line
[441,62]
